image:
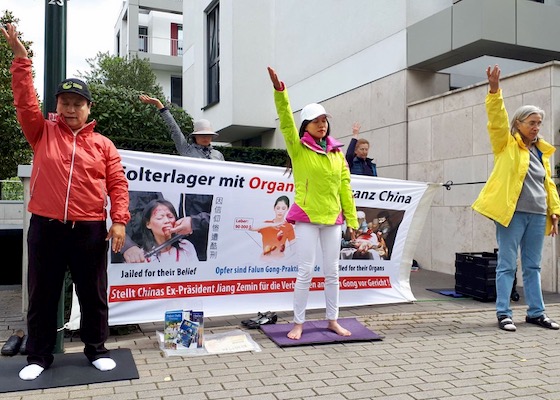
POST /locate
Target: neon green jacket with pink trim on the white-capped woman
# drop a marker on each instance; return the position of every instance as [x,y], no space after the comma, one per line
[322,179]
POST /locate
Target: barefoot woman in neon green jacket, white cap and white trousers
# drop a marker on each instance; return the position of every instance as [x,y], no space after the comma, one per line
[323,199]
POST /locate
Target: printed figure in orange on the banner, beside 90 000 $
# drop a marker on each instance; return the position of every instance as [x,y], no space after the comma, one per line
[277,234]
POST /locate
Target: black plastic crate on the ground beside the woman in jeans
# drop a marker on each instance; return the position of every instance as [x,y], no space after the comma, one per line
[475,275]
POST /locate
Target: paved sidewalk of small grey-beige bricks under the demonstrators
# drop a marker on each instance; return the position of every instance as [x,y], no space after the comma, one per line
[435,348]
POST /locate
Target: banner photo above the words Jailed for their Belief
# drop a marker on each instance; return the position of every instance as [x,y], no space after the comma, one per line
[167,228]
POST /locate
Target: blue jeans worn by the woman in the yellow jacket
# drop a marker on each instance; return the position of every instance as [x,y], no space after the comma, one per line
[525,232]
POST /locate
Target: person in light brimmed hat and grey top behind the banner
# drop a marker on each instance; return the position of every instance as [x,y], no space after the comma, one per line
[199,144]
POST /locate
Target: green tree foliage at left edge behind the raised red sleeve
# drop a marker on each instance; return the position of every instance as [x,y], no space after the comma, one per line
[14,149]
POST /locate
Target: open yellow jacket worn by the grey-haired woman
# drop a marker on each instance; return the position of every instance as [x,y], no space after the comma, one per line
[498,198]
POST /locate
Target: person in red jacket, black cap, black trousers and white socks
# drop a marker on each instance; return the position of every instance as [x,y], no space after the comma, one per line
[74,169]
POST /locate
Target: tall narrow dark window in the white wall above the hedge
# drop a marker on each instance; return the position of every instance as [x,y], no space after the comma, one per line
[213,53]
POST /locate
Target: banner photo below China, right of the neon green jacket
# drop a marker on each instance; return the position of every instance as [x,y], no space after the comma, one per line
[375,237]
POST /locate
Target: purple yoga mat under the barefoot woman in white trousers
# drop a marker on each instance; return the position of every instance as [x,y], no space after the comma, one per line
[316,332]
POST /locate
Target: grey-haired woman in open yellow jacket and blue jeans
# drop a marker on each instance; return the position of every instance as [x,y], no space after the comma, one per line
[522,200]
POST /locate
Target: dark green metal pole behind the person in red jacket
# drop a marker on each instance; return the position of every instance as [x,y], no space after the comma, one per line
[55,72]
